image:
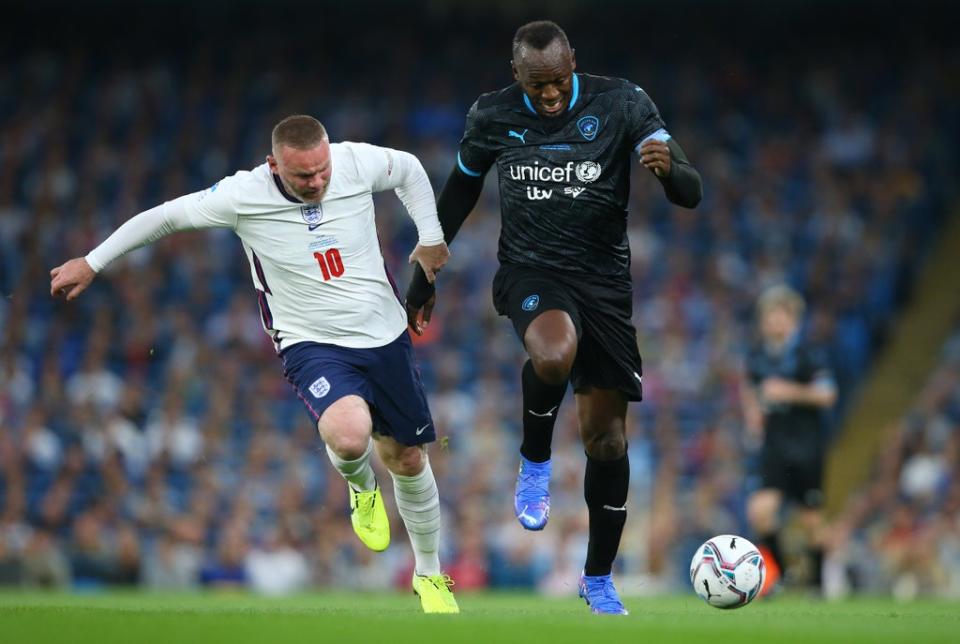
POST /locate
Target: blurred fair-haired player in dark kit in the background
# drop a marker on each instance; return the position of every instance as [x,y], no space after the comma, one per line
[788,389]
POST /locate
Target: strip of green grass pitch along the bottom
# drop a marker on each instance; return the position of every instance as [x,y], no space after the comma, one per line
[105,618]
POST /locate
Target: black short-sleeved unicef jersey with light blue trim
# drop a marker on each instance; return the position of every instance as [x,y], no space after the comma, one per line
[564,181]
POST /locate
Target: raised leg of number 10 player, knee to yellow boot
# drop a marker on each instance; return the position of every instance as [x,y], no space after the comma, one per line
[346,428]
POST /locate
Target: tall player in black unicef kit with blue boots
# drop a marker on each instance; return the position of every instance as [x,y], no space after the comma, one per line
[563,144]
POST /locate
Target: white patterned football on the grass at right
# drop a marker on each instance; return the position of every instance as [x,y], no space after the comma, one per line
[727,571]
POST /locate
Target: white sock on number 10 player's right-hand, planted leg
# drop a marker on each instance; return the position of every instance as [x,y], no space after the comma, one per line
[419,504]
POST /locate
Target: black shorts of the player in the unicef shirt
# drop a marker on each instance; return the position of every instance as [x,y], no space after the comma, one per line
[601,310]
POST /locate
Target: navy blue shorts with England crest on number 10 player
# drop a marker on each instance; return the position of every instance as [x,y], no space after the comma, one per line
[386,377]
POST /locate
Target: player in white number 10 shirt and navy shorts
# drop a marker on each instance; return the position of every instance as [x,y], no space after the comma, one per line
[306,220]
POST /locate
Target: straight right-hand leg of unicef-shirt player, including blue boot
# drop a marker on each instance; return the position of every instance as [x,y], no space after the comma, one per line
[602,414]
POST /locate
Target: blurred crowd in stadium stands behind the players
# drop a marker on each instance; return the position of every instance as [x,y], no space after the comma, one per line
[147,436]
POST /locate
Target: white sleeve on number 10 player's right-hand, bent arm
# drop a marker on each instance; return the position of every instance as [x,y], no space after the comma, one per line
[402,172]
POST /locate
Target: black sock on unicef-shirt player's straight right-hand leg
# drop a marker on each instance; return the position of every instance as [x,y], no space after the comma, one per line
[605,486]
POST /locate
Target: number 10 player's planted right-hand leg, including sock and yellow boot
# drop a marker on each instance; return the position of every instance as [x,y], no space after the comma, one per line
[418,502]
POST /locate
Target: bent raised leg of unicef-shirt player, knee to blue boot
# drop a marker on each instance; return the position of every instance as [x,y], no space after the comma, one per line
[551,343]
